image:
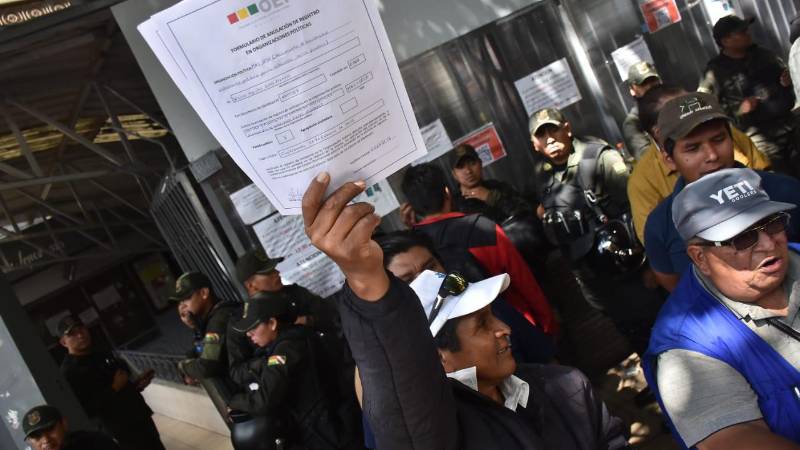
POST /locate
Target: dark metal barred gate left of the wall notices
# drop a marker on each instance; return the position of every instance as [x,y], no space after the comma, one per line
[191,234]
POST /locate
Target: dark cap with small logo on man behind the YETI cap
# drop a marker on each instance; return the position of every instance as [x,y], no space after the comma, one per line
[682,114]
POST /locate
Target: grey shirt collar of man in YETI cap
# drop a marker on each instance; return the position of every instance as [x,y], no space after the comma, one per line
[745,311]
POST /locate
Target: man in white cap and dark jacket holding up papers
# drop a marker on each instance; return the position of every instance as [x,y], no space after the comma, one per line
[388,331]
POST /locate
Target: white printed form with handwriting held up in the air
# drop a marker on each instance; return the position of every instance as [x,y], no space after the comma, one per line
[299,87]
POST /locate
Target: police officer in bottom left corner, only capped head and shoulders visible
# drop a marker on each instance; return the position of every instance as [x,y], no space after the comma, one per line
[46,429]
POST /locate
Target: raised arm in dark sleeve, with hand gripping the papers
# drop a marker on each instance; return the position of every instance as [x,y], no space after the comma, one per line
[407,398]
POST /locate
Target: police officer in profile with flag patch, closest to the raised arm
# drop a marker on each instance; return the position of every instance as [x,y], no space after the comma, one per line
[290,385]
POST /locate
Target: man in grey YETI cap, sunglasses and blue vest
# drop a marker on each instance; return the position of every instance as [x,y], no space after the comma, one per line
[725,351]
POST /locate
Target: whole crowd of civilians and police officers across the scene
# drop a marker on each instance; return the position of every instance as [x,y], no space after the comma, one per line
[442,336]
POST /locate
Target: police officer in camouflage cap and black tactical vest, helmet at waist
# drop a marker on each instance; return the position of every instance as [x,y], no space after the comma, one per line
[582,185]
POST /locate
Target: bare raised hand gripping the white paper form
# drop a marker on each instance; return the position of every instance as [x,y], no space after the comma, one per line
[344,233]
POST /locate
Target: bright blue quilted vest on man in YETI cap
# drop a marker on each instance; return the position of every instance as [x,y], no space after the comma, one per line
[692,319]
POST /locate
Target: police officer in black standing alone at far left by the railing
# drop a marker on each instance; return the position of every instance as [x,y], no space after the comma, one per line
[105,388]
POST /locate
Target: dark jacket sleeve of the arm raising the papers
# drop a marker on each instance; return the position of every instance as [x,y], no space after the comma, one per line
[407,398]
